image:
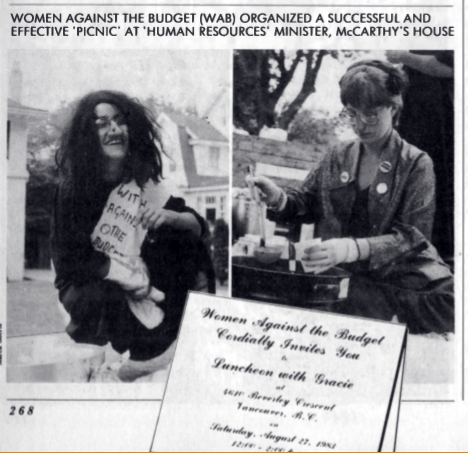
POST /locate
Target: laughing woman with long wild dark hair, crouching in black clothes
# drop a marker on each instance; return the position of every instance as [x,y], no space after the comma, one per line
[125,251]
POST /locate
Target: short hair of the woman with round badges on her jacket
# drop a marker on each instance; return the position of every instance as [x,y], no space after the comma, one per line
[373,83]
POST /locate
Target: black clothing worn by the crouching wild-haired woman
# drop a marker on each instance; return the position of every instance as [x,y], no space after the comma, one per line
[98,308]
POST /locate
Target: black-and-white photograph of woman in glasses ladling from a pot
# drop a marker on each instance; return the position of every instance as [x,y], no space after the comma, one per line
[343,193]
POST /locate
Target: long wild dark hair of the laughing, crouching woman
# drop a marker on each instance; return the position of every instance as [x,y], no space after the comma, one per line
[79,157]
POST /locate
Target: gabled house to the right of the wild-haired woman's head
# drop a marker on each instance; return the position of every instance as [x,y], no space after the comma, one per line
[198,162]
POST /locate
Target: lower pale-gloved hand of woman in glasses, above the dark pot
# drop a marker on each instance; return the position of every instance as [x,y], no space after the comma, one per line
[331,253]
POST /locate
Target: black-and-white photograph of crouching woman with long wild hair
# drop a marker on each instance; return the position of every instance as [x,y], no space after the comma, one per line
[118,206]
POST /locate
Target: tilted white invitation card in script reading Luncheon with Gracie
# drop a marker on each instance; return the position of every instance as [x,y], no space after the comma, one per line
[257,377]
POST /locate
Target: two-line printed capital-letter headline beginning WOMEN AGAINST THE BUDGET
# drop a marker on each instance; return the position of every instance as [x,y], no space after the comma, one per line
[229,25]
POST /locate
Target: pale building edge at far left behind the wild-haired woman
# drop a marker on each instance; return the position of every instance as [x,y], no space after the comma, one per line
[17,139]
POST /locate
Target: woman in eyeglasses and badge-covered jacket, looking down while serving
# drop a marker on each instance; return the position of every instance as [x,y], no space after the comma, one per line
[372,202]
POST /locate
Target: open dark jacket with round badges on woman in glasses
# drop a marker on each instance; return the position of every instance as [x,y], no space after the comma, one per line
[401,207]
